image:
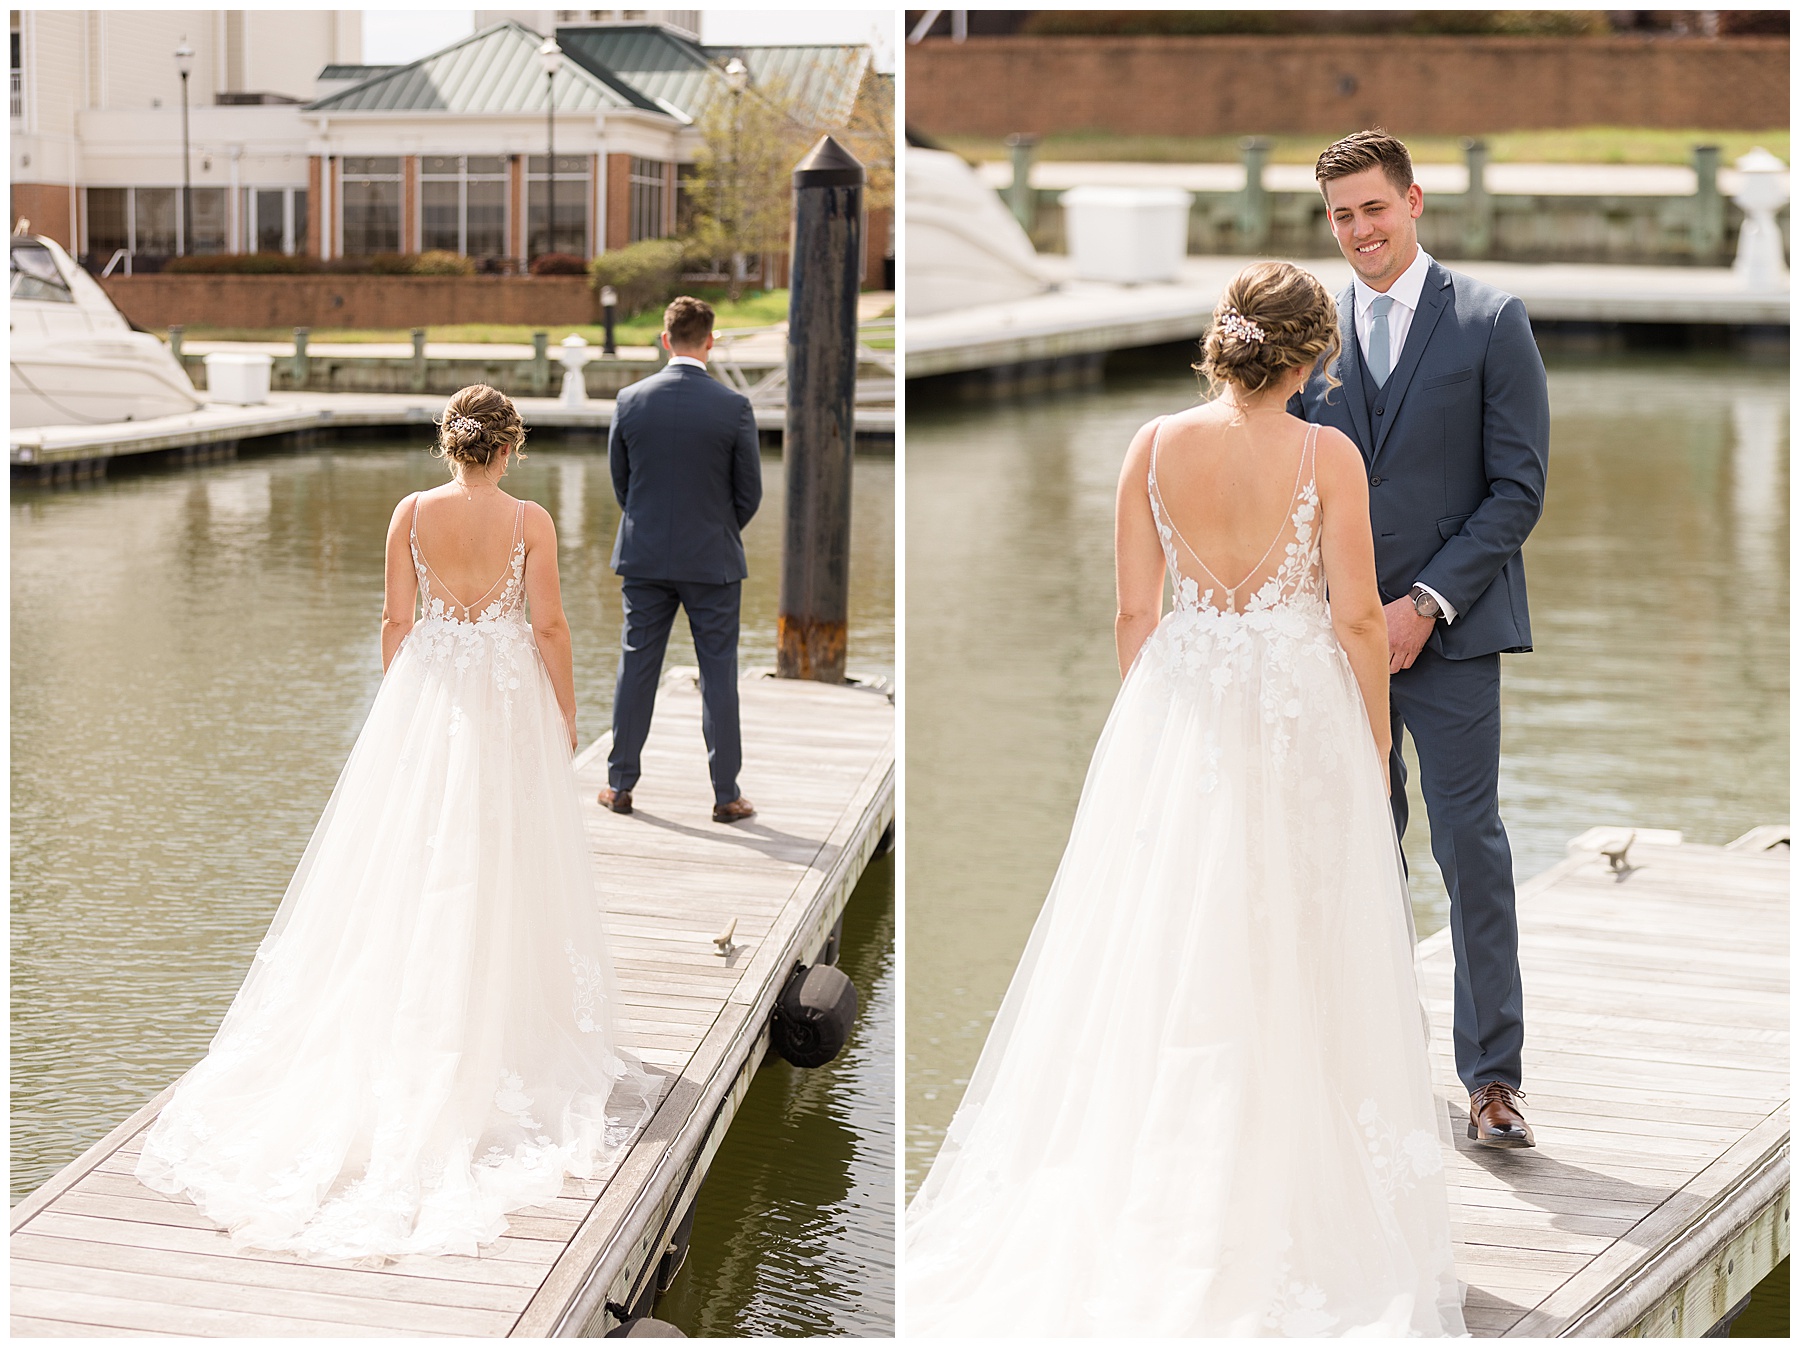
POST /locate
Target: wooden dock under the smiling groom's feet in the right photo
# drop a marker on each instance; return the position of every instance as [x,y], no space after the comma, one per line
[1657,1084]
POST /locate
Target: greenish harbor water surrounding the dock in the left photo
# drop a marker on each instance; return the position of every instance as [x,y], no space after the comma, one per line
[193,654]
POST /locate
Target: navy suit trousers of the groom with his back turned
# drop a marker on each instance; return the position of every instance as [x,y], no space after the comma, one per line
[714,622]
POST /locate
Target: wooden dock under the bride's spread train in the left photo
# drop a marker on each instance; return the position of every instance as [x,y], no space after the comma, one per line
[96,1254]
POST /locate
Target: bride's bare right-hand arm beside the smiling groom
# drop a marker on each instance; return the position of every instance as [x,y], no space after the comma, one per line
[1349,550]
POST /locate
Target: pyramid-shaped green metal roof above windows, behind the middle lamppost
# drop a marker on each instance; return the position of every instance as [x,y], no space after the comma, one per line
[494,71]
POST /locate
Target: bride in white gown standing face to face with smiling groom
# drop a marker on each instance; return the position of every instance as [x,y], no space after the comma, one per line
[1205,1106]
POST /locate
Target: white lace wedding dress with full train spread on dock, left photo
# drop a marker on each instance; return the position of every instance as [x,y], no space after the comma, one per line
[426,1039]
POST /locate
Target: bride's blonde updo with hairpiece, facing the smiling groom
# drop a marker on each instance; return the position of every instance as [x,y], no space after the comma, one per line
[1272,319]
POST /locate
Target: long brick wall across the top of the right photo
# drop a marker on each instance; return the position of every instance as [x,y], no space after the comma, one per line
[1180,85]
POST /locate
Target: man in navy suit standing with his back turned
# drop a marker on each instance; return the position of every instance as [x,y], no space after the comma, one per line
[688,476]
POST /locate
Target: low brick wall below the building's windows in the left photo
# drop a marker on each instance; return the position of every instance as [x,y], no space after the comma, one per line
[348,301]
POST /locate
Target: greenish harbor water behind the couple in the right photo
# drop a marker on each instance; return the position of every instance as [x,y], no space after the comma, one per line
[1657,694]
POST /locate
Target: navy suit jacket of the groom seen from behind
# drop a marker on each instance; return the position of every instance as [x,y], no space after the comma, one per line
[688,478]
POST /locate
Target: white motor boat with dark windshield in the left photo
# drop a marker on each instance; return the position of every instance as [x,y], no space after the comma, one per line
[76,361]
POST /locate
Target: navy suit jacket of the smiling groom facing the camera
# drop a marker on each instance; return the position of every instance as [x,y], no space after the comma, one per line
[1457,463]
